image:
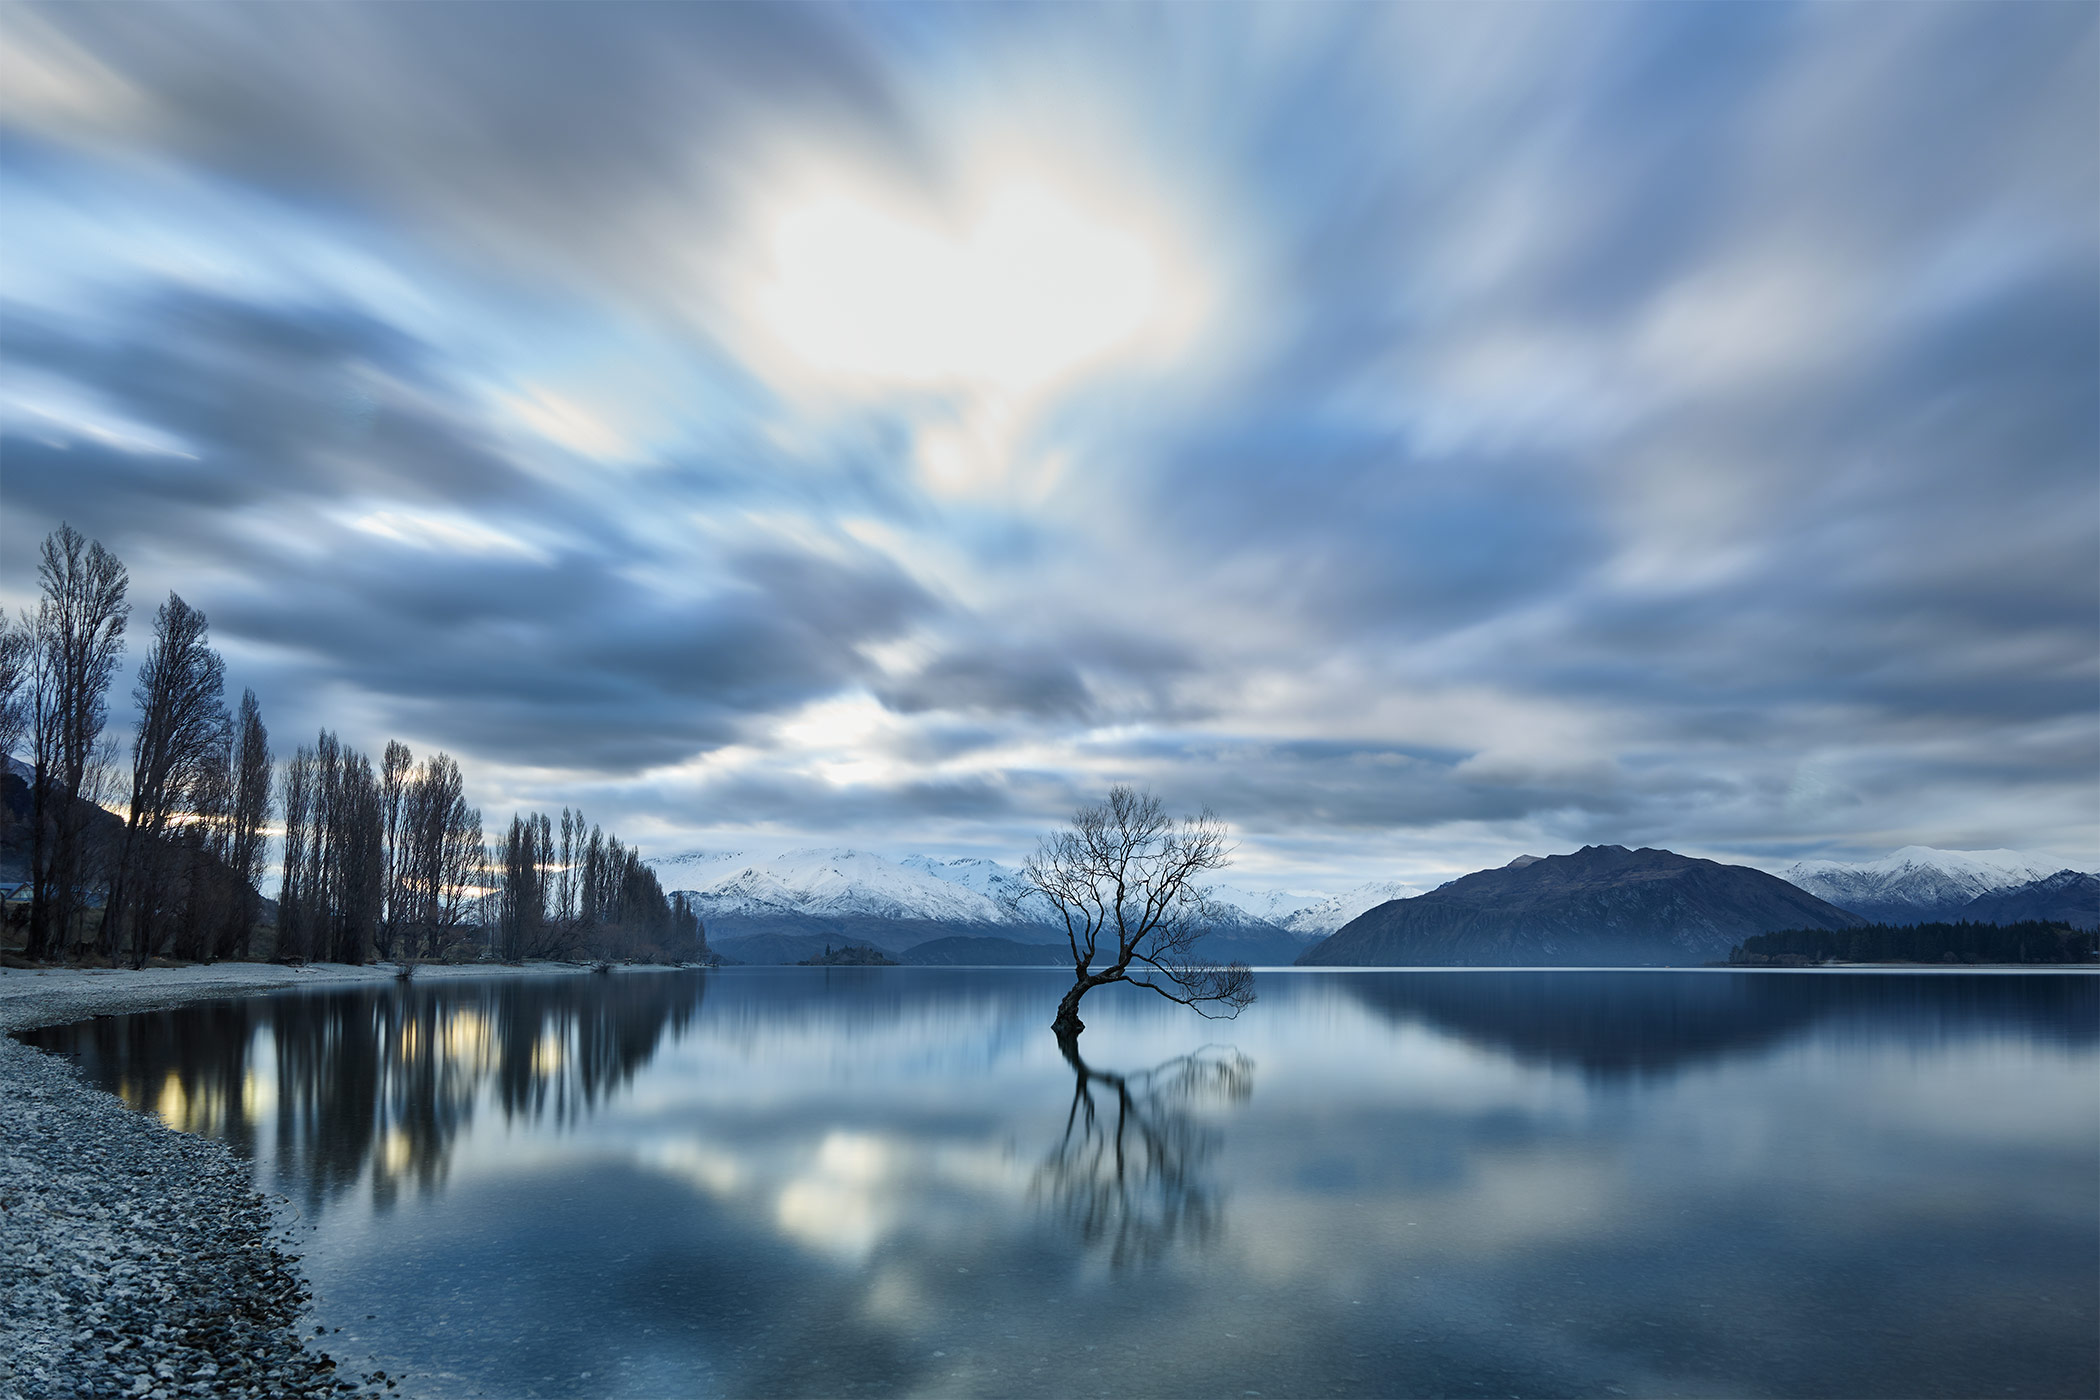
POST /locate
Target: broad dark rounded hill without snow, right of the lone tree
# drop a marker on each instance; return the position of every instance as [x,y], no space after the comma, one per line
[1601,906]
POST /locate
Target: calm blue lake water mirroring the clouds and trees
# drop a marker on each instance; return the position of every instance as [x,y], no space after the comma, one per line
[1406,1183]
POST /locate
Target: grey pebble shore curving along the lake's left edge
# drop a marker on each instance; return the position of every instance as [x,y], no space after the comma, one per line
[138,1260]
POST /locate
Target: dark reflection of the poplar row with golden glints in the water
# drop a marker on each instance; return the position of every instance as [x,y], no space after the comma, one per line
[381,1078]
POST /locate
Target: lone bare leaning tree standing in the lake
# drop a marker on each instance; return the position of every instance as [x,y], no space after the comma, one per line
[1125,878]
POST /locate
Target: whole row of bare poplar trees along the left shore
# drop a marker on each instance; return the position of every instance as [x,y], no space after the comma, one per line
[379,860]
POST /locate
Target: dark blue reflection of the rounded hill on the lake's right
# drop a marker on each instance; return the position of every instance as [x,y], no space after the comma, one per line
[1631,1023]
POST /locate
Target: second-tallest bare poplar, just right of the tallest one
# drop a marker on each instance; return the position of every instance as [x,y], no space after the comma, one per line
[182,736]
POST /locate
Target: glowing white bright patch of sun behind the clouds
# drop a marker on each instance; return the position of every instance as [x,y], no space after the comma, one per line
[1015,299]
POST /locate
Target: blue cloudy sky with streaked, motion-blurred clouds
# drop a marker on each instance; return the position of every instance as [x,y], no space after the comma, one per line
[1419,433]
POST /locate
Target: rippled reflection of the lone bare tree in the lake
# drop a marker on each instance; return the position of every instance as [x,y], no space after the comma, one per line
[1129,1172]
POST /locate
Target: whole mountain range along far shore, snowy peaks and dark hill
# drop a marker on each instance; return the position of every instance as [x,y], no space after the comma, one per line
[791,906]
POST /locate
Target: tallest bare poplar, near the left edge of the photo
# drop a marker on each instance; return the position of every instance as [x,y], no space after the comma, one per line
[79,645]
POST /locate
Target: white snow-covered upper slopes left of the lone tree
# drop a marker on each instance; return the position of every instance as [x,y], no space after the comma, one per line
[826,883]
